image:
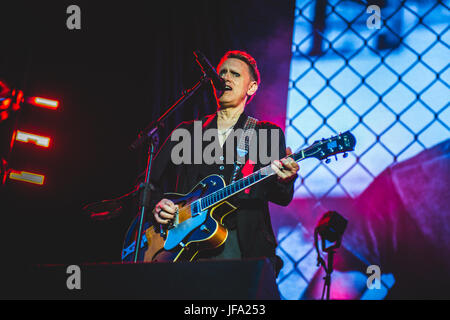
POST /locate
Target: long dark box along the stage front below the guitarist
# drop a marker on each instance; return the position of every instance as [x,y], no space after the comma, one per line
[252,279]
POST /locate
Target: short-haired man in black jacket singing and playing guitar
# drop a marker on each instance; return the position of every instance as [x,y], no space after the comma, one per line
[250,231]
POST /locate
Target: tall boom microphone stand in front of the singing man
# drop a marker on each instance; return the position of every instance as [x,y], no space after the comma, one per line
[150,135]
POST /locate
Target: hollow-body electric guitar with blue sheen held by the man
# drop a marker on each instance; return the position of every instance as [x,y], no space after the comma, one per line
[197,225]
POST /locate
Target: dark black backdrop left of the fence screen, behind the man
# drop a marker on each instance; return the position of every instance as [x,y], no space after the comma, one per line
[127,64]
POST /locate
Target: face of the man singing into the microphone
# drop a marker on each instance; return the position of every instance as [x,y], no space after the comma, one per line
[239,83]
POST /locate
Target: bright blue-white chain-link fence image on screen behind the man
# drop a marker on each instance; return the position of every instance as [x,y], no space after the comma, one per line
[388,84]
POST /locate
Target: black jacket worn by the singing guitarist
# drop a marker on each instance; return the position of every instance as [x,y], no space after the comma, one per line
[252,219]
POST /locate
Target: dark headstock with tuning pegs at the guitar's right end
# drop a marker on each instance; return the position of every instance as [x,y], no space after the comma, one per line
[324,148]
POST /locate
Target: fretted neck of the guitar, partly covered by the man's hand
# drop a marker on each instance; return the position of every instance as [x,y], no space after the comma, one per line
[241,184]
